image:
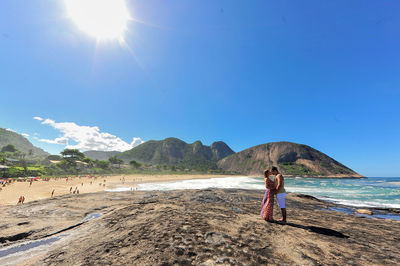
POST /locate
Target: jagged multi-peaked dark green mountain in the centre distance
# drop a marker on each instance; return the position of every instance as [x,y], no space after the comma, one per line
[173,151]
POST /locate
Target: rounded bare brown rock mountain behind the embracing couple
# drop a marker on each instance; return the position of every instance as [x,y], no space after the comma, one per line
[291,159]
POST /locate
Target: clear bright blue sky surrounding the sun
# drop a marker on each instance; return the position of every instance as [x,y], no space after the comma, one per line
[322,73]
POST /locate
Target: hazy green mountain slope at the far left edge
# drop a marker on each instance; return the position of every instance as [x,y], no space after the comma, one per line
[21,143]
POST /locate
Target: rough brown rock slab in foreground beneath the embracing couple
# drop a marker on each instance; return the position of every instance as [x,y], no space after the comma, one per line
[191,227]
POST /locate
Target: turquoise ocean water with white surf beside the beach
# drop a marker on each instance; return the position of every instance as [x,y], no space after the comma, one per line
[372,192]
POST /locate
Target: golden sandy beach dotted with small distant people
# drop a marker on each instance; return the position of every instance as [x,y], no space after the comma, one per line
[41,189]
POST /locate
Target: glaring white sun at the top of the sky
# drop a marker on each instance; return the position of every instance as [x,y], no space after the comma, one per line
[102,19]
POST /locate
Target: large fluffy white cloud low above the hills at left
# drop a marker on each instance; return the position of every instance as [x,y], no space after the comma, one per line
[87,137]
